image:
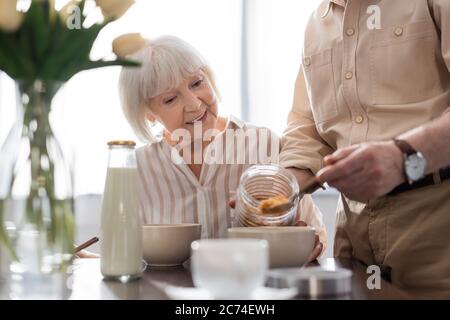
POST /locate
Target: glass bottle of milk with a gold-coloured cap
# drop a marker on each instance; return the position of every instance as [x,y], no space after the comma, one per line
[121,226]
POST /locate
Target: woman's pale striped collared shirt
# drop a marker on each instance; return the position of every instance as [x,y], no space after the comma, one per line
[170,193]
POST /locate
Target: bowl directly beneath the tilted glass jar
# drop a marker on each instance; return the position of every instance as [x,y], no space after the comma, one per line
[288,246]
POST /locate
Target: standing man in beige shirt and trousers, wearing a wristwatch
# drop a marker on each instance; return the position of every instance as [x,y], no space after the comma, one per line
[371,117]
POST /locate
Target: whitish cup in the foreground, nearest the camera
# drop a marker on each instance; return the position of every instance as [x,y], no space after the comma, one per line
[229,268]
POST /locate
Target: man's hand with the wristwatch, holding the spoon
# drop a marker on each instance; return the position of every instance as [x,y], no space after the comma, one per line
[364,172]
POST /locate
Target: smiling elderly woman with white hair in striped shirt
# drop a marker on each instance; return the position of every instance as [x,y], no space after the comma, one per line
[175,87]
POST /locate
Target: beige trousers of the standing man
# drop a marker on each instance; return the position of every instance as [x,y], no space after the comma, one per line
[407,234]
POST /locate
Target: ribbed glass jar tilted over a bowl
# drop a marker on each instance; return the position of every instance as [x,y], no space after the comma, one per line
[261,182]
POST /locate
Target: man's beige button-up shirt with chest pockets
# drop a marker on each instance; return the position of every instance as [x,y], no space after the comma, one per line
[371,70]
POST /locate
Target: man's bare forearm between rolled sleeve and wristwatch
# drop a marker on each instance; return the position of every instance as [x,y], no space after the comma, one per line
[433,141]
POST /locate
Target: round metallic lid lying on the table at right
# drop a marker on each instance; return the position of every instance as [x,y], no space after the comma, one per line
[313,282]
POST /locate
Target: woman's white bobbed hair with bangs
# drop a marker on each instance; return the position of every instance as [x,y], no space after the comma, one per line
[166,62]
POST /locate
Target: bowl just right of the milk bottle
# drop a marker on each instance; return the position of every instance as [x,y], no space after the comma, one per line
[169,244]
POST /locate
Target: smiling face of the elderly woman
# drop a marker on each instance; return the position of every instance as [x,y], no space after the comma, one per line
[193,101]
